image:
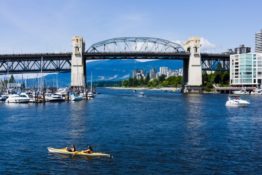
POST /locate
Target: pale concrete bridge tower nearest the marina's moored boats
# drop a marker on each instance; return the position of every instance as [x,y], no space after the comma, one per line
[78,65]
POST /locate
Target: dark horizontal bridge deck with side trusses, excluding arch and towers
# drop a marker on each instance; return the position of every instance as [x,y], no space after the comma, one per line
[61,62]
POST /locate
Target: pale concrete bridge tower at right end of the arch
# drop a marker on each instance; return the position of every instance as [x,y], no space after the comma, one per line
[192,67]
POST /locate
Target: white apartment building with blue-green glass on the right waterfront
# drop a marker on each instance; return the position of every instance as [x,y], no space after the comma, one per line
[246,69]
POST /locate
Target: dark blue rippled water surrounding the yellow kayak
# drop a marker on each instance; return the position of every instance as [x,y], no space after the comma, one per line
[161,133]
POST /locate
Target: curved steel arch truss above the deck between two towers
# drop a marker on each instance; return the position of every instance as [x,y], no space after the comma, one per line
[136,44]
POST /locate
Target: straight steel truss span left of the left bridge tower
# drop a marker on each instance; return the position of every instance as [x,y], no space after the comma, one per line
[15,64]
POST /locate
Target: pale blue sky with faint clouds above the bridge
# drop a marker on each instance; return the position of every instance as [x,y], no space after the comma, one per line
[48,25]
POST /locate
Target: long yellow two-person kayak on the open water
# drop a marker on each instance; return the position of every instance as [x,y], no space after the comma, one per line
[77,153]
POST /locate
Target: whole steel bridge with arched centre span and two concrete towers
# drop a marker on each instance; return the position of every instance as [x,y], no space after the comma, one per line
[118,48]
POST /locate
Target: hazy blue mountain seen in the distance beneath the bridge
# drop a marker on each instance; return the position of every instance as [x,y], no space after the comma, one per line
[110,70]
